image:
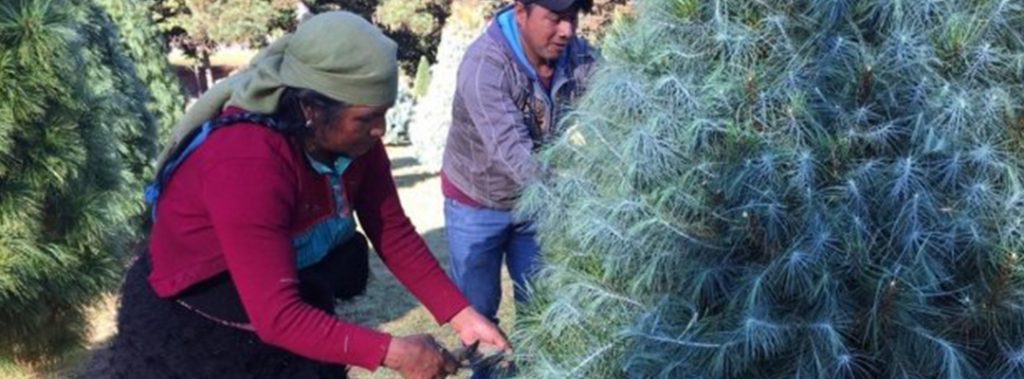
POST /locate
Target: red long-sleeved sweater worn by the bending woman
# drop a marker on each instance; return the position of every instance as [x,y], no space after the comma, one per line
[236,203]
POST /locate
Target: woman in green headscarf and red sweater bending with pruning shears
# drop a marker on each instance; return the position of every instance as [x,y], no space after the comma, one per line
[253,237]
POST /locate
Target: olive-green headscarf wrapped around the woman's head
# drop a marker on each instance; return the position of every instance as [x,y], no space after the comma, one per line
[339,55]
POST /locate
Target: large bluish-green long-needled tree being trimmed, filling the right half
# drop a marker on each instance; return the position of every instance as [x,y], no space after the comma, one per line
[789,190]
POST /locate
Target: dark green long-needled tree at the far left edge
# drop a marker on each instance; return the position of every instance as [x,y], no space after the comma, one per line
[75,142]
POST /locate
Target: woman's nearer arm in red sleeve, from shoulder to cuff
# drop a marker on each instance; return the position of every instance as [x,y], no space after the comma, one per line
[250,196]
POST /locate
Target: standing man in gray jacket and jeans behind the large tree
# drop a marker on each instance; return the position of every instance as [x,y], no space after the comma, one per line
[515,85]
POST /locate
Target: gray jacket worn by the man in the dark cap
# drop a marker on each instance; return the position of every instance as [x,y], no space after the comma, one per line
[501,116]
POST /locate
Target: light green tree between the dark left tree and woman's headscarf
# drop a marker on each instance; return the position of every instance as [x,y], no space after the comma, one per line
[145,46]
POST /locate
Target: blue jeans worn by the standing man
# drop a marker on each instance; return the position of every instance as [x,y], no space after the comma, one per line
[480,239]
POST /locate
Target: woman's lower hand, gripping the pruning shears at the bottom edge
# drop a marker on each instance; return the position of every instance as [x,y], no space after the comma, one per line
[419,357]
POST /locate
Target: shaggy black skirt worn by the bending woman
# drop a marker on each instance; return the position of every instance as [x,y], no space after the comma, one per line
[160,339]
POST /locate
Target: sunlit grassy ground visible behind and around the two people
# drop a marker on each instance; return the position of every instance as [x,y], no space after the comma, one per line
[387,306]
